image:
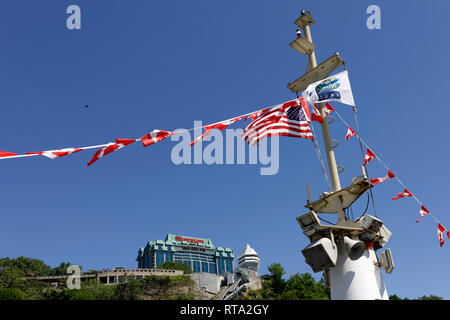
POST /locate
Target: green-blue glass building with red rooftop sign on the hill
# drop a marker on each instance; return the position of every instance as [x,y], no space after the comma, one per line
[200,254]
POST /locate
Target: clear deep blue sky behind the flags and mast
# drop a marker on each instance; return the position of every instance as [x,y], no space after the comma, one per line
[142,65]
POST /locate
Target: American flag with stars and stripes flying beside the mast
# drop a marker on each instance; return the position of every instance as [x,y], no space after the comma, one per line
[287,119]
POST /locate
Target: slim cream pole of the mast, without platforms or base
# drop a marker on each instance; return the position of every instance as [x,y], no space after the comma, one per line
[335,183]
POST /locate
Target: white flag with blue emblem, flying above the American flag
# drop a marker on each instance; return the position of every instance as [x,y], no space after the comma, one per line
[333,88]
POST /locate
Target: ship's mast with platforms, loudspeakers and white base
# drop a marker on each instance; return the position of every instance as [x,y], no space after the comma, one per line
[351,265]
